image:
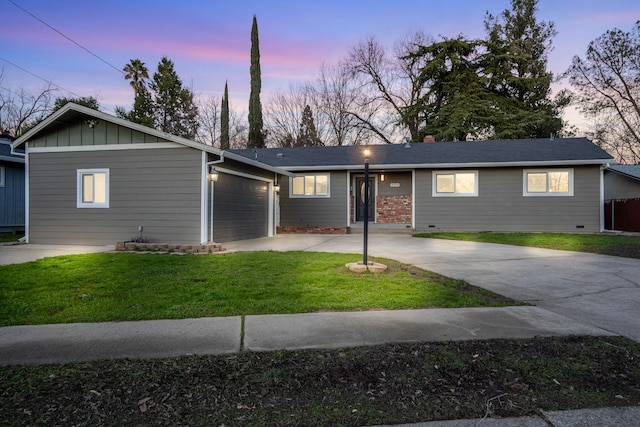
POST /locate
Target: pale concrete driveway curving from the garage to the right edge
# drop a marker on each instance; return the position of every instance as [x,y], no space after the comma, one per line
[597,290]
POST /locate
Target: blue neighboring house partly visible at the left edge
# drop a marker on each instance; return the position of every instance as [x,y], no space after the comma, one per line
[11,187]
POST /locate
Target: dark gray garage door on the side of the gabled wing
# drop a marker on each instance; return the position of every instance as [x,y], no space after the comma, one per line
[241,208]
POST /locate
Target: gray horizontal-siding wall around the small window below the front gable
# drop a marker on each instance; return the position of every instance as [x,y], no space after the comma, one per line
[159,189]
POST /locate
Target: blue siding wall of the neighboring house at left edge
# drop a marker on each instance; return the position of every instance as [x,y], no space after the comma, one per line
[12,196]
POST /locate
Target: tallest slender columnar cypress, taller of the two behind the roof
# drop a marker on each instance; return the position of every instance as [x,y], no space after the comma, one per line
[256,135]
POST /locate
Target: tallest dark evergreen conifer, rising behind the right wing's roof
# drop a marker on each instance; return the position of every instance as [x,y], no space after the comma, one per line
[515,68]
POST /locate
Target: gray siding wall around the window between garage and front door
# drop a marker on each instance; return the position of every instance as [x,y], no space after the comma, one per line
[316,211]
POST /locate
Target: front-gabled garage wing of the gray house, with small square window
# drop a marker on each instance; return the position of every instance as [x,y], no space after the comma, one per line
[93,178]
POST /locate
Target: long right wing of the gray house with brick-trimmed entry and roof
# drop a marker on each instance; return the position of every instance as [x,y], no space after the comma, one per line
[513,185]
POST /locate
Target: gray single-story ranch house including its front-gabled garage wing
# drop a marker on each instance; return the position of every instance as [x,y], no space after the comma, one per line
[93,178]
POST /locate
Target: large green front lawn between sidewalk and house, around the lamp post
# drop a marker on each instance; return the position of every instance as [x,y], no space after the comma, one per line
[125,286]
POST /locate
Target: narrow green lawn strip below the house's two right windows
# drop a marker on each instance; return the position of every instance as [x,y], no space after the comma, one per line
[618,245]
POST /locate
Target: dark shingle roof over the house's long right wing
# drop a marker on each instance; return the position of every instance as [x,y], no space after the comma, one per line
[437,154]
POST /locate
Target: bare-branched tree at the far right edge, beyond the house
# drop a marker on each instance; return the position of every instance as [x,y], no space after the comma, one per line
[606,88]
